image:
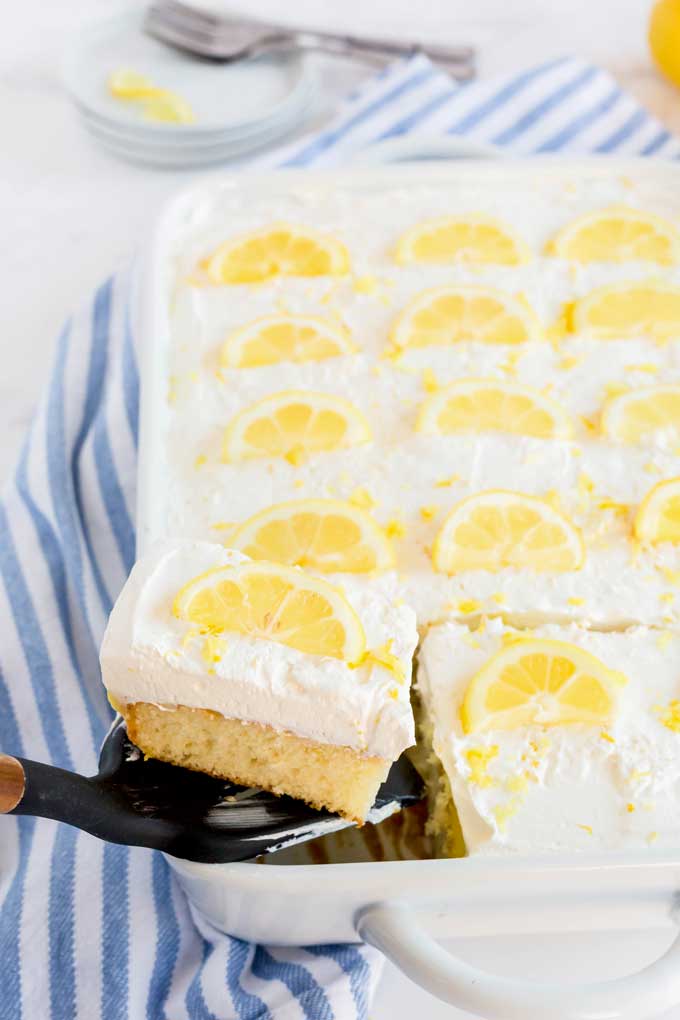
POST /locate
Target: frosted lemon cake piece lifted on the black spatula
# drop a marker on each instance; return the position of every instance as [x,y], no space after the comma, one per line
[264,675]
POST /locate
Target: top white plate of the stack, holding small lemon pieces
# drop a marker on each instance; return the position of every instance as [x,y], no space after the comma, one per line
[226,97]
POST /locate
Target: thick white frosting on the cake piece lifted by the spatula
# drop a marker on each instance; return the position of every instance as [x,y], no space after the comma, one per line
[146,657]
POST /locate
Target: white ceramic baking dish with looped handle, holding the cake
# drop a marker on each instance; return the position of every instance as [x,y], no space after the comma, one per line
[404,906]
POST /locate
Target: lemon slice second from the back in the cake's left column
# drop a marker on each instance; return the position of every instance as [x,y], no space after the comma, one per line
[273,339]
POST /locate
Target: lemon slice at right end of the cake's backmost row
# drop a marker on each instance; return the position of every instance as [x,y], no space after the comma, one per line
[618,235]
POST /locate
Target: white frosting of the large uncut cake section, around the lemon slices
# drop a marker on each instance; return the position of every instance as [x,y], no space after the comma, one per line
[401,471]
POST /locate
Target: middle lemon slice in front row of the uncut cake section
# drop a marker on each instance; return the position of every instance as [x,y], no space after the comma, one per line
[499,529]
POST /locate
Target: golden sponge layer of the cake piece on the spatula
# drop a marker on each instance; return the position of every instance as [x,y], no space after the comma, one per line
[326,777]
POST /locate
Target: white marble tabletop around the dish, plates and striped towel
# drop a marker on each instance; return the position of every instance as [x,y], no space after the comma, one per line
[71,215]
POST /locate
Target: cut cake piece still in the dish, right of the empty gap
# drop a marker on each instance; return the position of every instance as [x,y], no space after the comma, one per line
[557,739]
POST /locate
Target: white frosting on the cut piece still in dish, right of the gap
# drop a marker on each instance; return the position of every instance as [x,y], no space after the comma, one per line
[585,792]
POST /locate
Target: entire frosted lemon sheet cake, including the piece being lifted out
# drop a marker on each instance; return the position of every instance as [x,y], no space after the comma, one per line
[470,407]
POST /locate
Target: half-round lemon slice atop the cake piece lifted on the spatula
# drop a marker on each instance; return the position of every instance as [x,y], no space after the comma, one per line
[274,603]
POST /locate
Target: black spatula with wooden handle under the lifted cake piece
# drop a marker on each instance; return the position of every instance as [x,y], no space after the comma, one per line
[147,803]
